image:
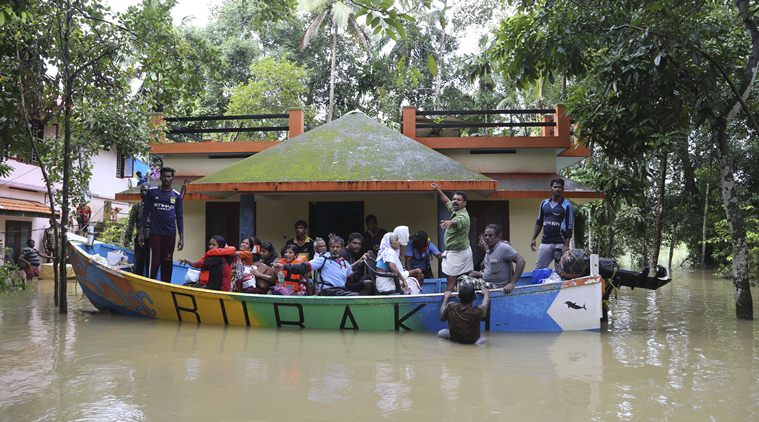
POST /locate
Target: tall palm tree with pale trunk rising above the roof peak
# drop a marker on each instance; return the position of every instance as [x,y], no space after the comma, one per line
[343,18]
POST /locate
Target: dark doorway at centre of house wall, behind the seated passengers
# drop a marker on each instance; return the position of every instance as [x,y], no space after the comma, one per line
[340,218]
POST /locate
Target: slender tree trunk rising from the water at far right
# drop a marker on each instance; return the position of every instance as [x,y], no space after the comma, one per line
[744,304]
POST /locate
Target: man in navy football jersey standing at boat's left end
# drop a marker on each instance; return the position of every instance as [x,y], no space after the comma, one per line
[164,207]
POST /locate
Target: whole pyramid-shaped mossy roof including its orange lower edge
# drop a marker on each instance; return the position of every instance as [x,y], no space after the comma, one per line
[352,153]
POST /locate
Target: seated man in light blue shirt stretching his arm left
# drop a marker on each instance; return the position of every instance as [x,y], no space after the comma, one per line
[333,269]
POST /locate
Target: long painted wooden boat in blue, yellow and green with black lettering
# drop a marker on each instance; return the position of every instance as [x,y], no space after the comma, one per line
[568,305]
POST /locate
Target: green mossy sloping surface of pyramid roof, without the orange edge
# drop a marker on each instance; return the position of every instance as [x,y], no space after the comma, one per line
[351,148]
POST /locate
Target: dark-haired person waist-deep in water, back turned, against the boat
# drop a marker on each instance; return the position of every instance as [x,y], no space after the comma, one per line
[463,318]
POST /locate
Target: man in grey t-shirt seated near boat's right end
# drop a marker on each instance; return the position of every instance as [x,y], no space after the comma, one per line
[499,257]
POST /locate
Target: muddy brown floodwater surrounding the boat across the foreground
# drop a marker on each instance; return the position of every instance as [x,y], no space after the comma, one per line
[674,354]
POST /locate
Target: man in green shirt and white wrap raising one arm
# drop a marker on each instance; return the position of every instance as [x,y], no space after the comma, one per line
[457,258]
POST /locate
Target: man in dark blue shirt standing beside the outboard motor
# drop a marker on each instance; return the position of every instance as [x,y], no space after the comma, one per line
[556,219]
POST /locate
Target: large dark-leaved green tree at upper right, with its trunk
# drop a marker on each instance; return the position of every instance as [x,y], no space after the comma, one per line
[648,80]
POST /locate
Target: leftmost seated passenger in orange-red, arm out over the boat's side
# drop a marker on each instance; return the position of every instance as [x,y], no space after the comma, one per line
[215,265]
